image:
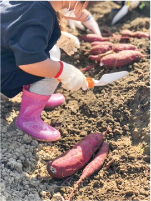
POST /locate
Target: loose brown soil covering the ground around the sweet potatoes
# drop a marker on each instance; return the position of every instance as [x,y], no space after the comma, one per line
[124,106]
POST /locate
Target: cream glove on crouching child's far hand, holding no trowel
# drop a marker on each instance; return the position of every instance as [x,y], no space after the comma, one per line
[68,43]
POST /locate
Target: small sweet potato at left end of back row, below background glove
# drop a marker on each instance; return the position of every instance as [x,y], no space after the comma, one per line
[92,38]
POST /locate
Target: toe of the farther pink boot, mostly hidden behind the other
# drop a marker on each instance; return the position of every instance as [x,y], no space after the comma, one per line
[55,100]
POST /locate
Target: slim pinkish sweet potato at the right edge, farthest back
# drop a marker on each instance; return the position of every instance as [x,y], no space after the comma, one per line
[137,34]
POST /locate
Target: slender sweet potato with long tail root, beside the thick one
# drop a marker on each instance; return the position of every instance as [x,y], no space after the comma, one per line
[93,166]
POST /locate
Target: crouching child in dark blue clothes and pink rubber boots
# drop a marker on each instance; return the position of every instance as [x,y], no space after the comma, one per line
[28,30]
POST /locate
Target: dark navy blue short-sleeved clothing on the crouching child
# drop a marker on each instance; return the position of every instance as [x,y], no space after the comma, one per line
[28,30]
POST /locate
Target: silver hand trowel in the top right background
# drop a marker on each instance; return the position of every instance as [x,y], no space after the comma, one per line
[122,12]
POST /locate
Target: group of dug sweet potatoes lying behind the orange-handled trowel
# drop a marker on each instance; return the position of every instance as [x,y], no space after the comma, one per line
[113,55]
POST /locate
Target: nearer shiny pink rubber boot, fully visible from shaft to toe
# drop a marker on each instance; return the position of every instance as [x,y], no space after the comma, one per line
[29,119]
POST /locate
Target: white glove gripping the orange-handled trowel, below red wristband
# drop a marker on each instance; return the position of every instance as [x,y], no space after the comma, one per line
[72,78]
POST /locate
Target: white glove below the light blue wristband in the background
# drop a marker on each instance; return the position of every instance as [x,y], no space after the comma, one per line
[92,25]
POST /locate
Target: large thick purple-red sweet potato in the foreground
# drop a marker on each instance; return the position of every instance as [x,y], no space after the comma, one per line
[73,160]
